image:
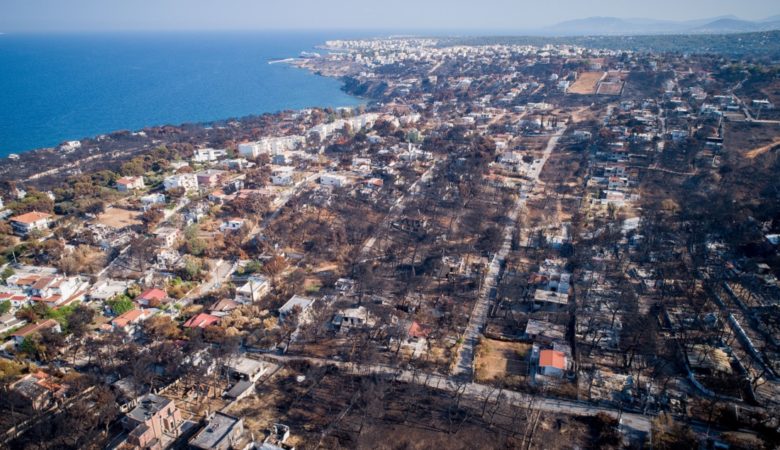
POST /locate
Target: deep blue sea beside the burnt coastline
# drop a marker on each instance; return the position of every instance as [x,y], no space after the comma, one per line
[59,87]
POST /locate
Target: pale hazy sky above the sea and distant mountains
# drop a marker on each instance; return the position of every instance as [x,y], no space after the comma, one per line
[94,15]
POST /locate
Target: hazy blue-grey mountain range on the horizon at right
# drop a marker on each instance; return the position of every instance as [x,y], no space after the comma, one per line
[636,26]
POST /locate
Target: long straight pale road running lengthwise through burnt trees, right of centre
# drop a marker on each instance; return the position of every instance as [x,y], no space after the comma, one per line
[464,366]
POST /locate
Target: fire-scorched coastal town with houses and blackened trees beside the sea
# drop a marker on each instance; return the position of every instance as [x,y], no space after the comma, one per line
[545,246]
